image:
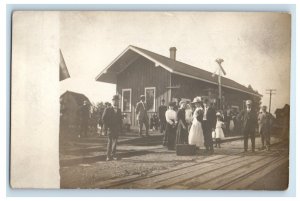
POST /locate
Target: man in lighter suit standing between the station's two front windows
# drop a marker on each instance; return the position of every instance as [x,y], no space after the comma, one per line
[142,117]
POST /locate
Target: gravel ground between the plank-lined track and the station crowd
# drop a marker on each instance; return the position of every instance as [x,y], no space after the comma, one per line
[156,159]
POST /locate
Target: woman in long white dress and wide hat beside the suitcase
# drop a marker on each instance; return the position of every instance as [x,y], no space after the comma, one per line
[196,132]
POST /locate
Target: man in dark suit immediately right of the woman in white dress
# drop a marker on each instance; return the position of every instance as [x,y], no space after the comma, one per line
[208,124]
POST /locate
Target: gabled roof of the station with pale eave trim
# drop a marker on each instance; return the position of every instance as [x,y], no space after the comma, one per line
[173,66]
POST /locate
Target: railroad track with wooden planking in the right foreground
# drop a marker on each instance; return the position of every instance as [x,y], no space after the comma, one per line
[235,171]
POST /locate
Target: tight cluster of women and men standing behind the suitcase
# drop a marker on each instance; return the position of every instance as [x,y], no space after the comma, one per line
[192,123]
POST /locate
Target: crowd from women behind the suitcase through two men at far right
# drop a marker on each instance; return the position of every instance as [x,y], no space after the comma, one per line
[198,123]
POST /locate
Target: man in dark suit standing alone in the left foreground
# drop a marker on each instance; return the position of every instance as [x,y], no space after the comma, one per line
[112,119]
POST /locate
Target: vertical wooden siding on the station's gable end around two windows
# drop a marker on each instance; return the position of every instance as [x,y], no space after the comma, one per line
[141,74]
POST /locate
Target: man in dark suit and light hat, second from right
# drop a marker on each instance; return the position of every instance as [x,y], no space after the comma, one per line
[248,119]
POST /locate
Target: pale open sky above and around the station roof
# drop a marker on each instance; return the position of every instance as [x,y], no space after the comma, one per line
[256,47]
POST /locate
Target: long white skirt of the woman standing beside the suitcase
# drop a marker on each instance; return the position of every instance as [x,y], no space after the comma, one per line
[196,134]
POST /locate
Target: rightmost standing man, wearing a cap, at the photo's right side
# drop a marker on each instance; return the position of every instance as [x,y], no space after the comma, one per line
[264,125]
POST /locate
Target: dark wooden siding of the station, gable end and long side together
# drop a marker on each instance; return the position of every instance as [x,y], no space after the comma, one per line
[143,73]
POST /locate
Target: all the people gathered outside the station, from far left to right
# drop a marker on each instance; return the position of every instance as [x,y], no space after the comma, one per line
[195,123]
